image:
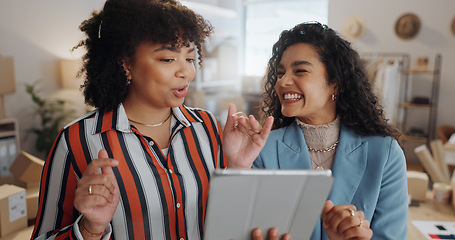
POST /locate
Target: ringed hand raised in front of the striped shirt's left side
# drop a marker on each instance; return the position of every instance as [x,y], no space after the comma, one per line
[97,194]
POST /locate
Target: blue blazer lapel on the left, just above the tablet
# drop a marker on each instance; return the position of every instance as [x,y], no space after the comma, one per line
[292,150]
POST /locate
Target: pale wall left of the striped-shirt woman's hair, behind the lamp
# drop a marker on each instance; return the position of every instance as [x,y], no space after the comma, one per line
[37,34]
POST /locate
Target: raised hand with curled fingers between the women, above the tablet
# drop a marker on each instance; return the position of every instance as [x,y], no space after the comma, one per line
[243,138]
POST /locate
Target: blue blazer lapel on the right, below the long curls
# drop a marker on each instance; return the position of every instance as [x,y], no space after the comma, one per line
[348,167]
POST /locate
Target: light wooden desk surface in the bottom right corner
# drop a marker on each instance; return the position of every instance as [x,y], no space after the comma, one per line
[428,211]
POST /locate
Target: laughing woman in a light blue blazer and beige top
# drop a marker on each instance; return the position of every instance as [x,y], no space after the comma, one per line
[327,117]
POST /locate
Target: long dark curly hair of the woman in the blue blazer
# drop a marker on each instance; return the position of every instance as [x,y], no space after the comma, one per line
[356,104]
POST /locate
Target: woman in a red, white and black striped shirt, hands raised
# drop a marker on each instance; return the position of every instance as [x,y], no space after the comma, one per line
[138,167]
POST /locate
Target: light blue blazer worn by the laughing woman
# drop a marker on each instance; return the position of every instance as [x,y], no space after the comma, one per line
[369,172]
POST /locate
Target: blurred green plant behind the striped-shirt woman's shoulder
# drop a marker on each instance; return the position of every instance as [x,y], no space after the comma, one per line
[52,115]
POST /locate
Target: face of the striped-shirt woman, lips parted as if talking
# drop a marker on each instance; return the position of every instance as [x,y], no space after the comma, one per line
[160,75]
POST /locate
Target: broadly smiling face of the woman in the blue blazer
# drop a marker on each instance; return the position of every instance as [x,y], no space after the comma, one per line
[302,86]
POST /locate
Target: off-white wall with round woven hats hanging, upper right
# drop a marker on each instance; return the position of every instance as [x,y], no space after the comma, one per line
[434,36]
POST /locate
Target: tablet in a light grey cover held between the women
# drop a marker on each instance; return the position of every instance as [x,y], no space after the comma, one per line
[241,200]
